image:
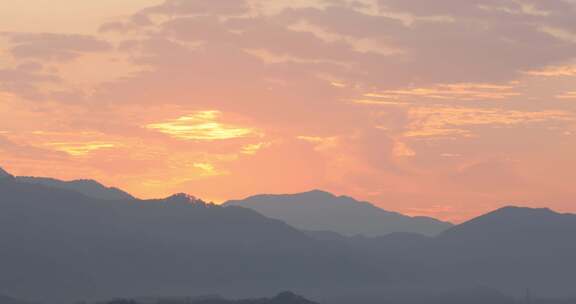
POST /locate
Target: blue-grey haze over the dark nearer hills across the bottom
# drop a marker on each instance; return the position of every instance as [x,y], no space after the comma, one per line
[60,245]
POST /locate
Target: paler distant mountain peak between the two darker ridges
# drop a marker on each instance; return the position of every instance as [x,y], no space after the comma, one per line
[322,211]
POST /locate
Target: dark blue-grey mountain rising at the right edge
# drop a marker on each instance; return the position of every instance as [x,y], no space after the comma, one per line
[514,248]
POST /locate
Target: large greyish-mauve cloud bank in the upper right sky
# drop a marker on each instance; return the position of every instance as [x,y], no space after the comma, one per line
[461,49]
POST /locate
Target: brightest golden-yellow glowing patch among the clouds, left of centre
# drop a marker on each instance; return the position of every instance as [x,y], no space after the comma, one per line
[201,126]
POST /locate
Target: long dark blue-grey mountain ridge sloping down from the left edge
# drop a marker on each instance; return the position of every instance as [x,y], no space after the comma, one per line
[59,245]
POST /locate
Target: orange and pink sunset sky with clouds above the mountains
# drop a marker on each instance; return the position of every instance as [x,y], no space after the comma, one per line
[442,108]
